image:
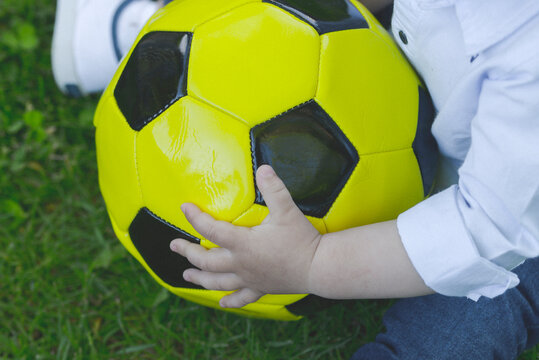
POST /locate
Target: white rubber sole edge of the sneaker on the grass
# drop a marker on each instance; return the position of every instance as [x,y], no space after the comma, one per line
[63,63]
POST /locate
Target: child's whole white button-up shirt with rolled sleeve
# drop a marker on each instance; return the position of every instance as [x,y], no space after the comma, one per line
[480,62]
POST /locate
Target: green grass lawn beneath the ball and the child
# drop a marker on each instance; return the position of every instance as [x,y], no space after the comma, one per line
[68,290]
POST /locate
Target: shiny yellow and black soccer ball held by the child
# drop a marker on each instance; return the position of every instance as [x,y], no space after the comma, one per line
[213,89]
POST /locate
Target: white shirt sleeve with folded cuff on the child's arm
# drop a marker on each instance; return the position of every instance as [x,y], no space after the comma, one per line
[465,240]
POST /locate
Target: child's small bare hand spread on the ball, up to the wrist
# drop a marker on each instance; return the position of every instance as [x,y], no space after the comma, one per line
[273,257]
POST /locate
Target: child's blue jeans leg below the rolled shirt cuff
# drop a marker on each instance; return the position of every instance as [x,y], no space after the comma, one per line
[442,327]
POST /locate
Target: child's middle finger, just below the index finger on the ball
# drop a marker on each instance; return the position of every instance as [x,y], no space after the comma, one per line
[214,260]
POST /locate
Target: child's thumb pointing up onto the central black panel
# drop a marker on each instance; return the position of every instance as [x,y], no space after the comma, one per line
[275,194]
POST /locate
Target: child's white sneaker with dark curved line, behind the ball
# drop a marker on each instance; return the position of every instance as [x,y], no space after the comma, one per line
[90,37]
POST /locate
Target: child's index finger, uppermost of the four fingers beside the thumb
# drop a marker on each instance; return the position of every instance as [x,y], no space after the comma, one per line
[221,233]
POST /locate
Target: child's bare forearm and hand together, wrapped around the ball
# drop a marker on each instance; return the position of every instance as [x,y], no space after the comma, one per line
[286,254]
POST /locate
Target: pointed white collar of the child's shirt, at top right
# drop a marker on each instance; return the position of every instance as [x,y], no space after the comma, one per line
[486,22]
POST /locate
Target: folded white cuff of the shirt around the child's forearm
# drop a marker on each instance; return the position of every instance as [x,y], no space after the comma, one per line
[443,252]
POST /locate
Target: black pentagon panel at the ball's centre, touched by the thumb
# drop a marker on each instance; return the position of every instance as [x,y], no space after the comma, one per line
[309,152]
